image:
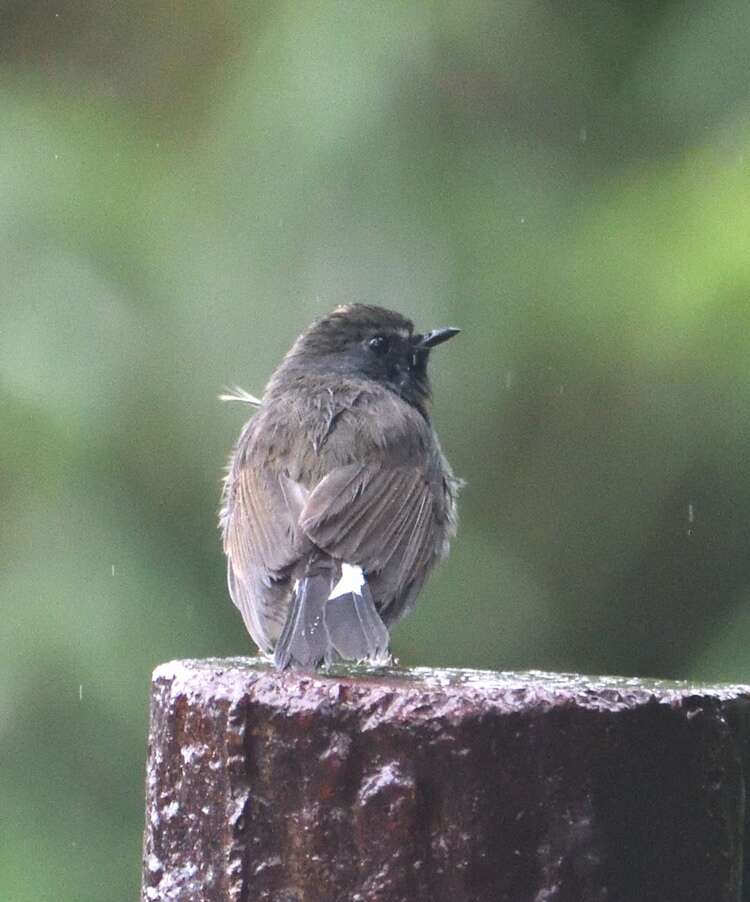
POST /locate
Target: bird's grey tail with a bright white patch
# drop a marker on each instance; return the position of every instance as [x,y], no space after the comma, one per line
[332,617]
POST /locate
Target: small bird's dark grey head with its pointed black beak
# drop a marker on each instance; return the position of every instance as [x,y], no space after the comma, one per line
[371,343]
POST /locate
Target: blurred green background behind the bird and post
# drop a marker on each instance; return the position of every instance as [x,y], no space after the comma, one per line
[183,186]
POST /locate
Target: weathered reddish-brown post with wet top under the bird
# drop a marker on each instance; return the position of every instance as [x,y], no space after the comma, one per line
[441,785]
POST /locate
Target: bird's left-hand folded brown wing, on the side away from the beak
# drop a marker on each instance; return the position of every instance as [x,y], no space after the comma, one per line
[262,542]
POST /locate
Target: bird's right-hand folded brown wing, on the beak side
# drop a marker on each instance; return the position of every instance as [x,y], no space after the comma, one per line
[381,519]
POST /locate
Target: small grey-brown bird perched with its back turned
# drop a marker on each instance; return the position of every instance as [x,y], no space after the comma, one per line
[338,500]
